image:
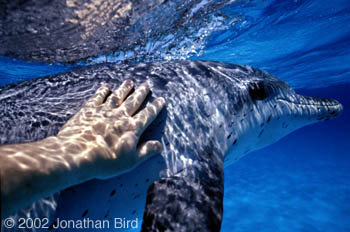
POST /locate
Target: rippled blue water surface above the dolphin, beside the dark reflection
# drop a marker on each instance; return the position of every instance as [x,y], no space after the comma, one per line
[302,42]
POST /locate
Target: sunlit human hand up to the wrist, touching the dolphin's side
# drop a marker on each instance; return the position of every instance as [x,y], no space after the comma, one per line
[102,138]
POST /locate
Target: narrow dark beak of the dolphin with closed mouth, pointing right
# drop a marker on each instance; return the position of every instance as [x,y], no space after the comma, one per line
[324,105]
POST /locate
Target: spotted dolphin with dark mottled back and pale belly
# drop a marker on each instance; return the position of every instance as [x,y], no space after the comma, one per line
[215,113]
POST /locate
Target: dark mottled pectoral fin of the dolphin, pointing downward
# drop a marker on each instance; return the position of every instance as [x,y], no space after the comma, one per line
[191,200]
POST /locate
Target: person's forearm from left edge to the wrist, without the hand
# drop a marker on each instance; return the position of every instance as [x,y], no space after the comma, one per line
[31,171]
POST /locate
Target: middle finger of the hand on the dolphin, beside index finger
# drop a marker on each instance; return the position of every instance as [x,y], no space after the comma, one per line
[134,101]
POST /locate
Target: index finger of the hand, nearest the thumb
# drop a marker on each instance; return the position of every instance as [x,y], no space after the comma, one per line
[145,117]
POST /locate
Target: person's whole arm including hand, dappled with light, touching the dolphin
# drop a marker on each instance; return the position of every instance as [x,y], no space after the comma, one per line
[100,141]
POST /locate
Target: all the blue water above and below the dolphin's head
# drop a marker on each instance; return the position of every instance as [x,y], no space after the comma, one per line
[301,183]
